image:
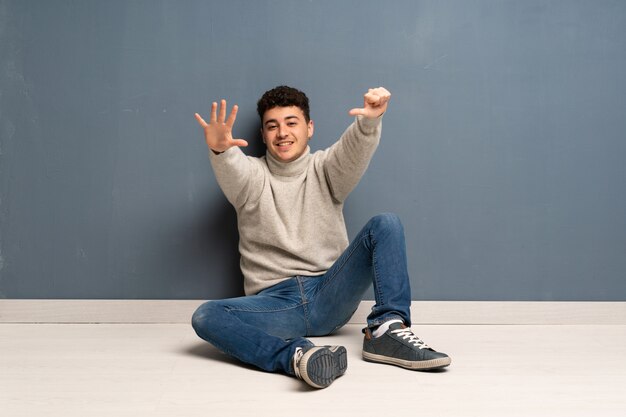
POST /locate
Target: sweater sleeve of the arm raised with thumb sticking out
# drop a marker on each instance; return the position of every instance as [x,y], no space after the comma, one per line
[350,156]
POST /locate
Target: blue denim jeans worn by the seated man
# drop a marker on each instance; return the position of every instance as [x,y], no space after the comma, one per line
[266,328]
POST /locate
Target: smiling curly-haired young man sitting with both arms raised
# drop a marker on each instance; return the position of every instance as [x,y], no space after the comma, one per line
[301,277]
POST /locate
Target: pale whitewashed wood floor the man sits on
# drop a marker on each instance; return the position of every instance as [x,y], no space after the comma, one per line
[165,370]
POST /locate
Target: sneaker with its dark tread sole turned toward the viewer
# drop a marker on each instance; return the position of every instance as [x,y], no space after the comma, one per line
[318,366]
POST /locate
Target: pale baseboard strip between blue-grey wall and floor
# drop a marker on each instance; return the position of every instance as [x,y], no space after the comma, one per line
[423,312]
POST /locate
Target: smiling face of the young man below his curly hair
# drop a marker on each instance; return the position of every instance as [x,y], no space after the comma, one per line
[286,132]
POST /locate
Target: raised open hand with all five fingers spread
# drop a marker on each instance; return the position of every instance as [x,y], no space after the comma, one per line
[218,132]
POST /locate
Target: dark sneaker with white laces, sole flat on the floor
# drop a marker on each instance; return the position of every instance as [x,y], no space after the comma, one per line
[399,346]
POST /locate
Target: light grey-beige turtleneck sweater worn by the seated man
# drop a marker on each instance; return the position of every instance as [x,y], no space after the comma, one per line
[290,215]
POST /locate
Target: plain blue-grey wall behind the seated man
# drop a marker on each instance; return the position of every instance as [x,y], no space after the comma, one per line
[503,148]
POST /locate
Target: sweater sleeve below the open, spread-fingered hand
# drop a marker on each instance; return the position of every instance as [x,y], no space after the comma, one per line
[239,176]
